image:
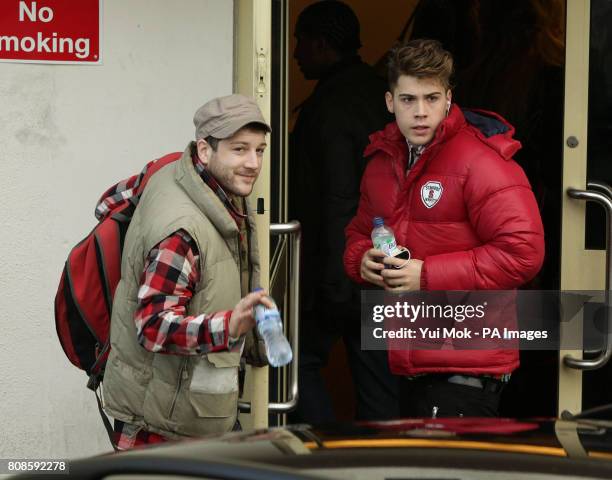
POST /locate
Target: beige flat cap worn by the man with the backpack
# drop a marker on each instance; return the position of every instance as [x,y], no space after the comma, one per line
[223,116]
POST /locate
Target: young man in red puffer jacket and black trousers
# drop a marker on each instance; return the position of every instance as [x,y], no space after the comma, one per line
[445,182]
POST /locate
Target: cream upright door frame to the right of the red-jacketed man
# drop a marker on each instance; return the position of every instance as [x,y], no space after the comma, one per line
[580,269]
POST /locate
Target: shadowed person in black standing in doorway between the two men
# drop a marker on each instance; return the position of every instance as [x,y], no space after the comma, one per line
[326,165]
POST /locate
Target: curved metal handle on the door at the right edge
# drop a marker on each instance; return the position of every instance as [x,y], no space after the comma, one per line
[606,201]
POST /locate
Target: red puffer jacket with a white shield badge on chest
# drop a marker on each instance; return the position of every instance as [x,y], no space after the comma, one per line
[466,209]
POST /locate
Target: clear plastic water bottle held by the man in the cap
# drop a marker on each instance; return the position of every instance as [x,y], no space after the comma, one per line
[270,327]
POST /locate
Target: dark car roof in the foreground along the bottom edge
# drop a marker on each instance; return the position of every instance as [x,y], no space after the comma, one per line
[404,449]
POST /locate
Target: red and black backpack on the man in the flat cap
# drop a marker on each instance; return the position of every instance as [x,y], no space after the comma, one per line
[84,298]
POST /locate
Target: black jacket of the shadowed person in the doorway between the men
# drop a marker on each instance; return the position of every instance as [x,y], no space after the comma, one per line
[326,165]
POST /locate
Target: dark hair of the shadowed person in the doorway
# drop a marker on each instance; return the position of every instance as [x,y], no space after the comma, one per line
[333,20]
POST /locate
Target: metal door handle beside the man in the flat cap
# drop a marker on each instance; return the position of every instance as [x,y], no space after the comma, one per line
[293,229]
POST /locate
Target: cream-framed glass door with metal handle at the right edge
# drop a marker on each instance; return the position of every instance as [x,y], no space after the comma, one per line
[587,174]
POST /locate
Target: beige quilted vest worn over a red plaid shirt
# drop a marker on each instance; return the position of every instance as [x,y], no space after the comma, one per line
[175,395]
